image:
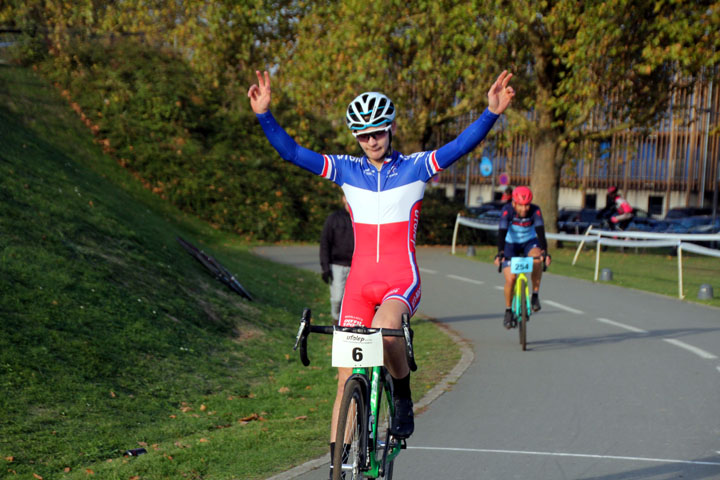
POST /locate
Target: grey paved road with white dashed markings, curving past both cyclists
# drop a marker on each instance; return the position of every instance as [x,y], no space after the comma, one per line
[615,385]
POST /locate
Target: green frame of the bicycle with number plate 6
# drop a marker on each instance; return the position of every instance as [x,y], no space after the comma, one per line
[376,444]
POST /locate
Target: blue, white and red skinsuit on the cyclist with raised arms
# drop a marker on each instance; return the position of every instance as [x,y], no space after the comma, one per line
[385,208]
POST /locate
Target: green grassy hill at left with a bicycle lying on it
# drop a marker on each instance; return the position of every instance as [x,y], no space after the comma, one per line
[113,338]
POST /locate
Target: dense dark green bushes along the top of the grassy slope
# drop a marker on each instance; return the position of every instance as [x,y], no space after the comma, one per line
[156,117]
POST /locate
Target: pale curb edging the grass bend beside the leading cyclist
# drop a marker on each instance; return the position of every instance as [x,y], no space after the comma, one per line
[467,356]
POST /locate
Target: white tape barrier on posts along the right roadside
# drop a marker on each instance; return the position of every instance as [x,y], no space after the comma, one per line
[682,242]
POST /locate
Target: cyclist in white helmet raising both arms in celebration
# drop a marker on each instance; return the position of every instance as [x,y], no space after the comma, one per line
[384,190]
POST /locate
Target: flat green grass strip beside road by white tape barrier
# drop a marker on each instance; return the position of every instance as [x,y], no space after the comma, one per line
[651,270]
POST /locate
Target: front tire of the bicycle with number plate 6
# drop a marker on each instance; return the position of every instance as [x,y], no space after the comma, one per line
[352,430]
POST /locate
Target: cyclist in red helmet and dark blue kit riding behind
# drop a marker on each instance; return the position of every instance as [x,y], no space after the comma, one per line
[521,232]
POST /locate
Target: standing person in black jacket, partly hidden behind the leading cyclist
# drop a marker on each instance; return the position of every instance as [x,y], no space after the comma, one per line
[336,248]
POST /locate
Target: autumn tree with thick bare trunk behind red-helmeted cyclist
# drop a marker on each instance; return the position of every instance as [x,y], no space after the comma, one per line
[620,59]
